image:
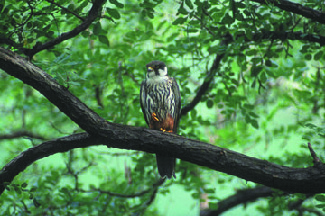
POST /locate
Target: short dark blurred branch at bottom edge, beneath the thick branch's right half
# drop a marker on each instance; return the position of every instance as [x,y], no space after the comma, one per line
[241,197]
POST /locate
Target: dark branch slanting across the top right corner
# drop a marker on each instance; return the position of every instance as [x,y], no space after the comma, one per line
[292,7]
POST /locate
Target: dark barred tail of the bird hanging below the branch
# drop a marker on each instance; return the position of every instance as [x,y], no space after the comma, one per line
[166,166]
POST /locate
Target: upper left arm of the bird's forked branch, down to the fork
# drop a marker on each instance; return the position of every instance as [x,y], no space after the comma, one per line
[58,95]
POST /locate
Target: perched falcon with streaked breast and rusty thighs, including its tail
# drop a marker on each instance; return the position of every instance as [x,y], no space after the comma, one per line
[160,100]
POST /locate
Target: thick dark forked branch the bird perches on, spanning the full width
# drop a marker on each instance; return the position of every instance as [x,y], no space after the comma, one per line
[303,180]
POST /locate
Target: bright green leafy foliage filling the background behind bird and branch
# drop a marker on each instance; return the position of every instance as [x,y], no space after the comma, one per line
[266,99]
